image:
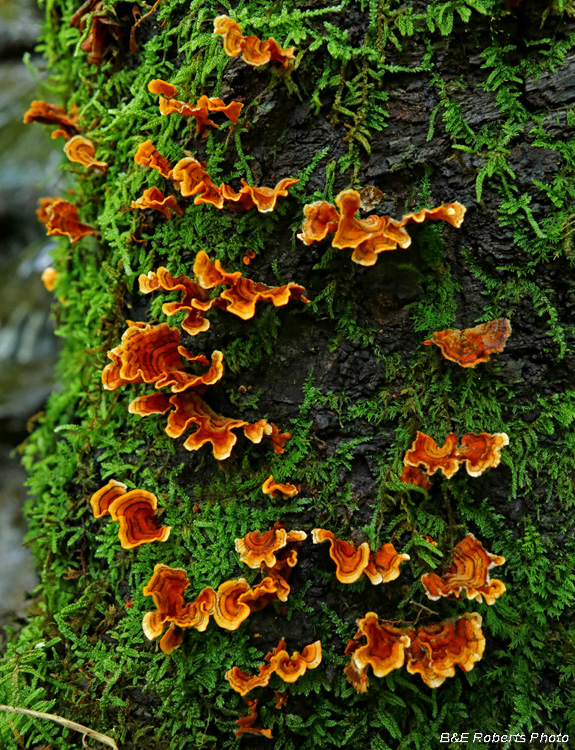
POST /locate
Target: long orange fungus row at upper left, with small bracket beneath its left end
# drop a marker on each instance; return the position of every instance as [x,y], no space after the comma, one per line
[191,180]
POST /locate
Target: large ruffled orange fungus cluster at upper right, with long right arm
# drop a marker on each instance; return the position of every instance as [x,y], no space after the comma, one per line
[370,236]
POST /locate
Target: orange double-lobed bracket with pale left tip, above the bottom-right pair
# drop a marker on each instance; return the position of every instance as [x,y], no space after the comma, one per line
[351,563]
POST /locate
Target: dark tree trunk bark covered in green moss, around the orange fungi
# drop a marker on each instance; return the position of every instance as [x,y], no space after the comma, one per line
[430,103]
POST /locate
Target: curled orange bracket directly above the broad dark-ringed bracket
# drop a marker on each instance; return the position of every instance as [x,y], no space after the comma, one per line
[194,300]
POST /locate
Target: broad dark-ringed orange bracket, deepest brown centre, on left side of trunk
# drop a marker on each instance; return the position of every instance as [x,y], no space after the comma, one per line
[152,354]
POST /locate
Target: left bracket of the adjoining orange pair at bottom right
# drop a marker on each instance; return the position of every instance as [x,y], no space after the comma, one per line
[384,650]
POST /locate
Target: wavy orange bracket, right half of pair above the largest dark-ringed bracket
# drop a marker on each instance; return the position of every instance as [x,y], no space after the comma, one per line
[243,295]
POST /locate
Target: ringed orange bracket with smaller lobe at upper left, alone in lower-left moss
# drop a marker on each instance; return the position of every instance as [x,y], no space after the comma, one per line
[135,510]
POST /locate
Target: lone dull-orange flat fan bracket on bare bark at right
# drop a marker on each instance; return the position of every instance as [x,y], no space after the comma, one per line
[471,346]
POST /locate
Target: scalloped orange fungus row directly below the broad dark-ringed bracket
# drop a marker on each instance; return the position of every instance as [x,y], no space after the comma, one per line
[188,408]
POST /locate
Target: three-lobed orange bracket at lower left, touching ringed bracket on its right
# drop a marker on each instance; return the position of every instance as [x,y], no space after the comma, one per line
[167,586]
